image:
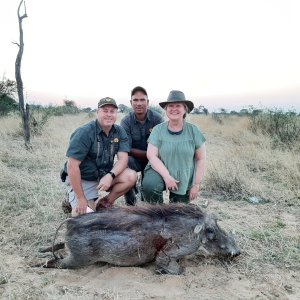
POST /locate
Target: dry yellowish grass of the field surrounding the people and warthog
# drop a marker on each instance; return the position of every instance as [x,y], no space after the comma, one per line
[240,165]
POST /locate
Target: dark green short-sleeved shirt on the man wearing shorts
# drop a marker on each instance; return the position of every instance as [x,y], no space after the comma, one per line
[96,151]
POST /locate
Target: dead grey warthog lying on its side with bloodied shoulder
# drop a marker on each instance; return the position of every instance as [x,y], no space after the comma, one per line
[132,236]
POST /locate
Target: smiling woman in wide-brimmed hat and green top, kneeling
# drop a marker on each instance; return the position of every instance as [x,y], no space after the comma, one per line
[176,153]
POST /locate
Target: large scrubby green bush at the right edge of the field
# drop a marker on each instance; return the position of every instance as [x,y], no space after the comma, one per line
[283,127]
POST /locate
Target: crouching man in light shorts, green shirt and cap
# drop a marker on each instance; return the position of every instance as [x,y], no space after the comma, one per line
[90,166]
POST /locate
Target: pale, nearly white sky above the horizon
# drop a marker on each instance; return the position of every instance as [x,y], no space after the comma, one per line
[221,54]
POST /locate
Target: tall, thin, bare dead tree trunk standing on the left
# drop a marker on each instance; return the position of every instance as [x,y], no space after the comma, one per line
[24,110]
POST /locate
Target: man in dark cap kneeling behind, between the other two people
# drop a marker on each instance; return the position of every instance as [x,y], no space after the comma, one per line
[138,126]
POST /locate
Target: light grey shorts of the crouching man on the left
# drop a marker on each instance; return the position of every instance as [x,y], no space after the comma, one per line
[89,189]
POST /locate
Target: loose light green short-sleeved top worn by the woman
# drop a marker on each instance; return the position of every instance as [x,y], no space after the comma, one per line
[177,152]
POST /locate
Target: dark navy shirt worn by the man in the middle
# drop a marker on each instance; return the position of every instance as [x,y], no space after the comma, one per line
[138,132]
